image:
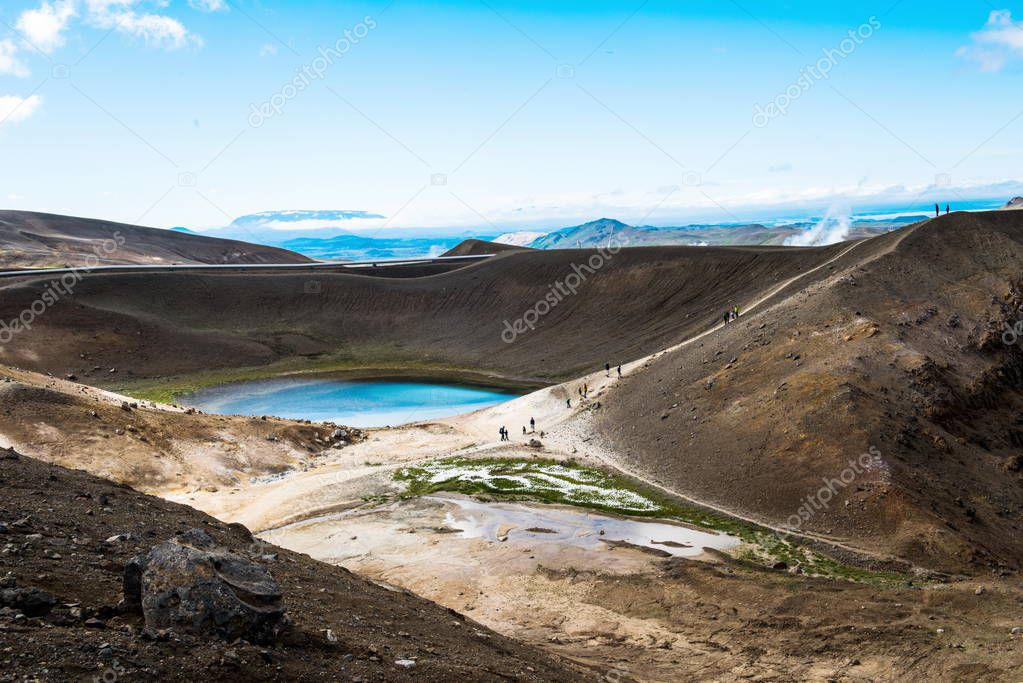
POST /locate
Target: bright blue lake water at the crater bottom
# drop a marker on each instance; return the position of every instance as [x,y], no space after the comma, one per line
[355,403]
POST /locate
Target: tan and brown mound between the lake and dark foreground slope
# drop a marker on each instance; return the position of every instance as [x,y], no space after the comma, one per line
[150,447]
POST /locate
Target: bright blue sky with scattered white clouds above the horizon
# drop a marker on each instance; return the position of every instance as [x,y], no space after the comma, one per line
[499,115]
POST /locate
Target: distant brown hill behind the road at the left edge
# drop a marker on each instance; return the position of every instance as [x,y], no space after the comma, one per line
[47,241]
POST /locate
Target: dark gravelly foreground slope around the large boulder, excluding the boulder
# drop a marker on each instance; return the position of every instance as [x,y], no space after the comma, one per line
[55,523]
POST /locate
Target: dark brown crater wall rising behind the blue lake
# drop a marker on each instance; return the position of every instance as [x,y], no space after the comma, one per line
[148,325]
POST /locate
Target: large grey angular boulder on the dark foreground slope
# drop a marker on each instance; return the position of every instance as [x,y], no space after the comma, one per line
[192,584]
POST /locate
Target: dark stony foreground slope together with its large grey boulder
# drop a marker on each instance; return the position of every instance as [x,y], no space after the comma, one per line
[203,600]
